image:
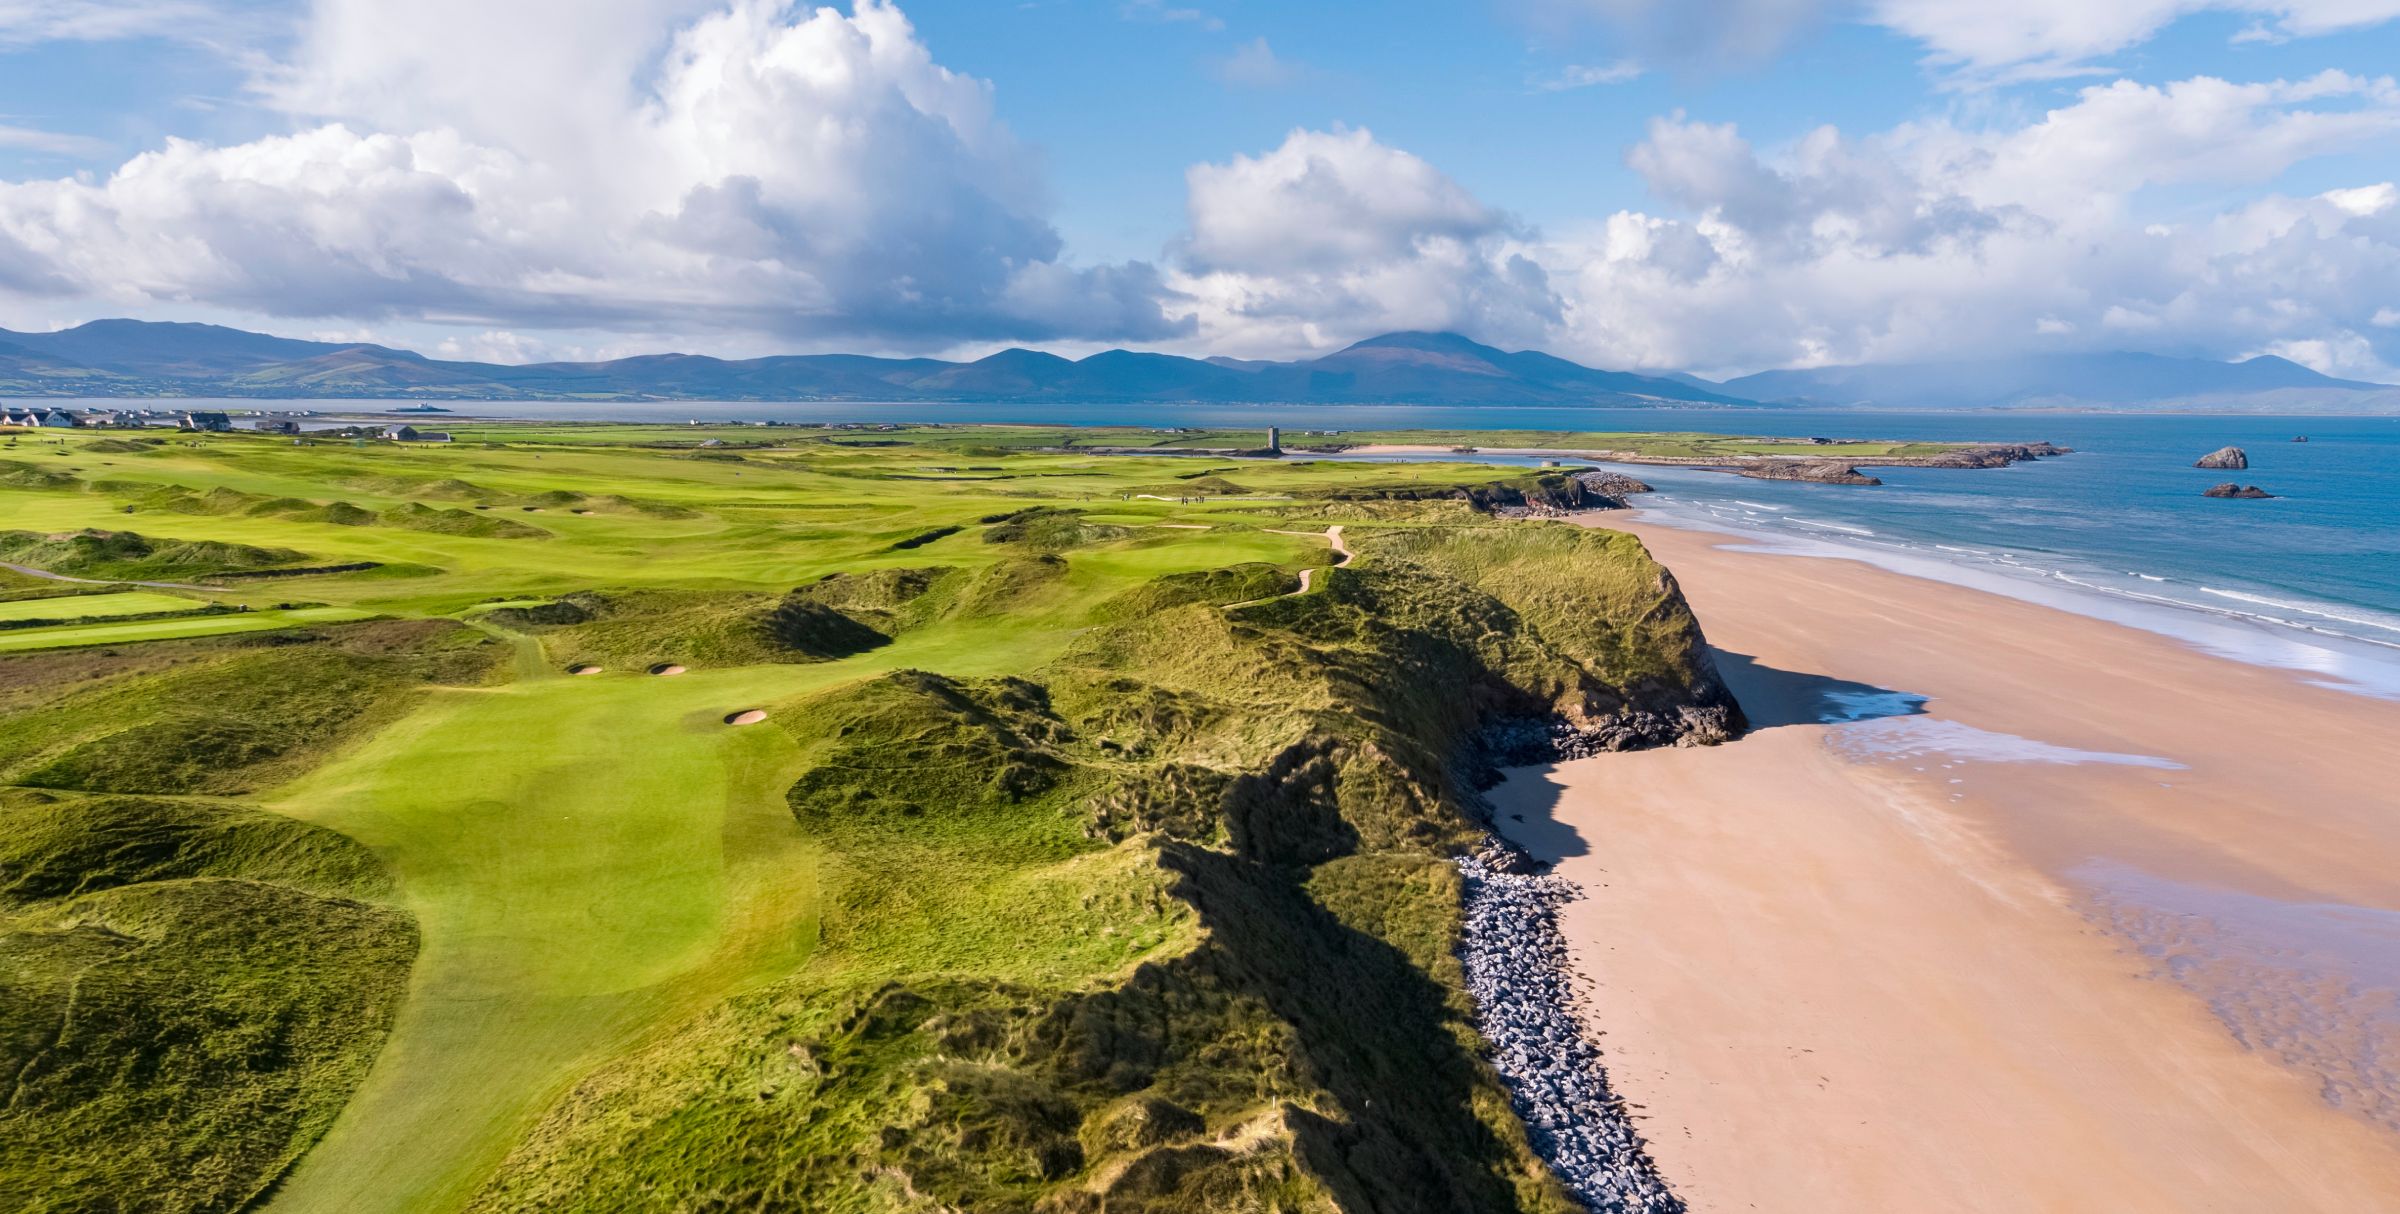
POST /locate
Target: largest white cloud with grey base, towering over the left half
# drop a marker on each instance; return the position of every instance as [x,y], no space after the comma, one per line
[800,174]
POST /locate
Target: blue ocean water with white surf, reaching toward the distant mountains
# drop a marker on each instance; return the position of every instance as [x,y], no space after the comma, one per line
[2308,582]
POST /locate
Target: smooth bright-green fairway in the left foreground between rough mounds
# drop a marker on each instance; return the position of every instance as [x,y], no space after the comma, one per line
[584,858]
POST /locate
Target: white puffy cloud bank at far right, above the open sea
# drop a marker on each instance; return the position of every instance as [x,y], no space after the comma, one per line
[1931,241]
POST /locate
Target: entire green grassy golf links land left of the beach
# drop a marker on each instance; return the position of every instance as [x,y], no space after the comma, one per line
[1067,851]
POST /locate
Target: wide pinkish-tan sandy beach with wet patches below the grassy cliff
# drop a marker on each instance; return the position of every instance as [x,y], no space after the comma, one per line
[1998,908]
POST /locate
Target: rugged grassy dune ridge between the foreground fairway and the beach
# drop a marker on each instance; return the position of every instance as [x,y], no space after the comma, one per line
[1163,927]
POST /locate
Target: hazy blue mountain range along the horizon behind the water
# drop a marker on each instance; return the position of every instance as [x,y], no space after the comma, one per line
[155,359]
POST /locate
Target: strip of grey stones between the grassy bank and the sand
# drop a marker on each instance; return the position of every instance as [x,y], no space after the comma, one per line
[1525,987]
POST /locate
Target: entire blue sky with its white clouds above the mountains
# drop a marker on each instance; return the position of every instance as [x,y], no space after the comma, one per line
[1712,186]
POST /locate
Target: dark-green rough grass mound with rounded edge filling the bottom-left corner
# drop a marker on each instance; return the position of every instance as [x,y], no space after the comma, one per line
[188,994]
